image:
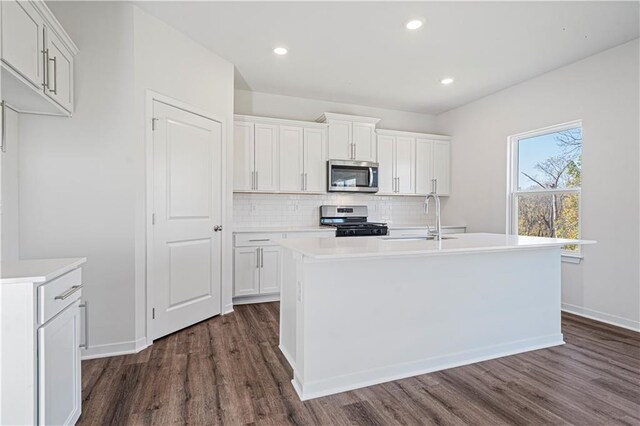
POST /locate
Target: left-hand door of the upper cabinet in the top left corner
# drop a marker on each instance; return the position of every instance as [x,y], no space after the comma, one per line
[22,40]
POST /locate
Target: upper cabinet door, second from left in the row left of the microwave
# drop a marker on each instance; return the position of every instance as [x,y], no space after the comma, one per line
[266,157]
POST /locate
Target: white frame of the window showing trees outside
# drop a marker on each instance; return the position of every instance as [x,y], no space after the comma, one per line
[512,183]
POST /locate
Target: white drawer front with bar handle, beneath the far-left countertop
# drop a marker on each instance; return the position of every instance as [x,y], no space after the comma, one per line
[57,294]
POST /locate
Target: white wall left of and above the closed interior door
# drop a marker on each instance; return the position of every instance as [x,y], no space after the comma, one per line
[83,179]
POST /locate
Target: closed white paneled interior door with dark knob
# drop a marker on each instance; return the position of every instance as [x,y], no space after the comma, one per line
[187,193]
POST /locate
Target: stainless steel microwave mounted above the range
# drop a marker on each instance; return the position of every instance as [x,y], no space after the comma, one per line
[352,176]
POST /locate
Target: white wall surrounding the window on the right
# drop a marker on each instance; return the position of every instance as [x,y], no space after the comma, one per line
[602,90]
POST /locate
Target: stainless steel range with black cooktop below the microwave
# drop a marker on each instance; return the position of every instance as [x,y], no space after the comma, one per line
[350,221]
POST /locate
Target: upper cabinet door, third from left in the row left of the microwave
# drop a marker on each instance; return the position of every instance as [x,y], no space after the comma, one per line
[291,159]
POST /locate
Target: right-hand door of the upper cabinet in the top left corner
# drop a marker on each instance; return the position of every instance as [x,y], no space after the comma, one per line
[60,71]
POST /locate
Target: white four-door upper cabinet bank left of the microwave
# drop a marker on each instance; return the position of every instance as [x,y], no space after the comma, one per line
[273,155]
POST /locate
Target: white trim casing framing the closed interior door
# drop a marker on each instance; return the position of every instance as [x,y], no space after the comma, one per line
[151,97]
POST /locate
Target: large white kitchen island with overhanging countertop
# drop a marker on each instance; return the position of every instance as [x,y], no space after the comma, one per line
[360,311]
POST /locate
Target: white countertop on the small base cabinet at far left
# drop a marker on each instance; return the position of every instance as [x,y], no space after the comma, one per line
[37,270]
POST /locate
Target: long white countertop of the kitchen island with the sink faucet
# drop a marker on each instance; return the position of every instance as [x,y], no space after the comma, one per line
[360,247]
